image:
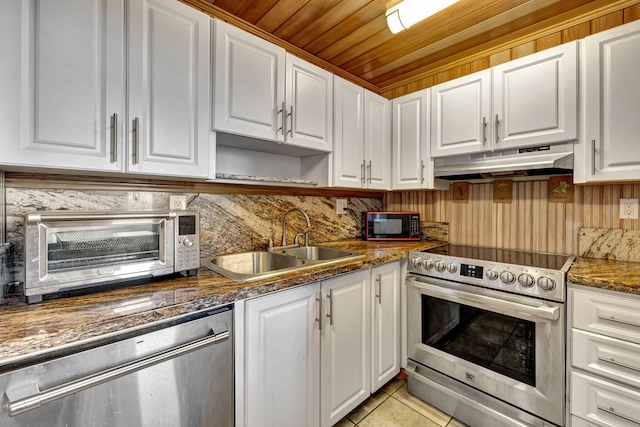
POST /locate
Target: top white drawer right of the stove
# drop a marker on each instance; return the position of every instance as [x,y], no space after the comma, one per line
[613,316]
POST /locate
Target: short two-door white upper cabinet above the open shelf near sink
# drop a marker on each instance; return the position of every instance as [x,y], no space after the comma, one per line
[263,92]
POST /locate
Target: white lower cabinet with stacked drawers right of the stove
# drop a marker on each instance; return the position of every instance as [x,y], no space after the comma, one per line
[604,373]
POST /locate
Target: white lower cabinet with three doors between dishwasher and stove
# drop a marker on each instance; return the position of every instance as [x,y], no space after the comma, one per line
[309,352]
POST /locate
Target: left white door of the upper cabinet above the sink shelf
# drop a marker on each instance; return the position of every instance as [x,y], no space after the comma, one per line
[249,91]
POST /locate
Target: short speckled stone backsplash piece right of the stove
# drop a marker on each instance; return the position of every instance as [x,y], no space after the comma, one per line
[609,243]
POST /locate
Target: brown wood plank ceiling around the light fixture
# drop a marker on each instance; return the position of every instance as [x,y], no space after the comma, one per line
[352,35]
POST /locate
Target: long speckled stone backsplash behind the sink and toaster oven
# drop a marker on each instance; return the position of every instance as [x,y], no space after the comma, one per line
[229,223]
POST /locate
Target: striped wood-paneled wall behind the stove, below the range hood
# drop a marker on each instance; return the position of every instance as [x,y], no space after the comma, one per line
[529,222]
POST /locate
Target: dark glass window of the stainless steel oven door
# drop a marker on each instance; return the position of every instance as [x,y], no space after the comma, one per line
[501,343]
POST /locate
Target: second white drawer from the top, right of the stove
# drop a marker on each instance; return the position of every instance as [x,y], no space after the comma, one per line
[613,358]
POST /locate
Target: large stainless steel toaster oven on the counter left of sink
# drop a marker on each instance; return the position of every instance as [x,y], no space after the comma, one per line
[67,251]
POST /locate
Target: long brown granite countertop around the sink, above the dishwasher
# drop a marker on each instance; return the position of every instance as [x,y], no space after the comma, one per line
[33,330]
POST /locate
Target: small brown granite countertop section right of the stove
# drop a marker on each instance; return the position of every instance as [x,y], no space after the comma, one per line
[620,276]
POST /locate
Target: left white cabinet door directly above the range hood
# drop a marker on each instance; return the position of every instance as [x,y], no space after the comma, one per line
[461,115]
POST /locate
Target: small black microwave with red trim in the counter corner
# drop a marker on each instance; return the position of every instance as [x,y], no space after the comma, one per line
[391,226]
